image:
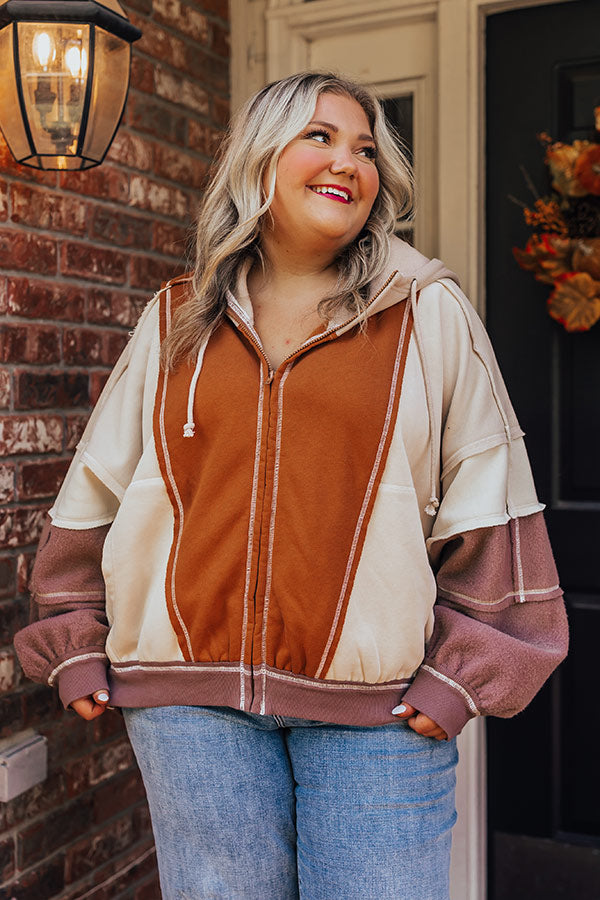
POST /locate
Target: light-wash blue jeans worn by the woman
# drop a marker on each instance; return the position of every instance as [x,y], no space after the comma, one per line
[249,807]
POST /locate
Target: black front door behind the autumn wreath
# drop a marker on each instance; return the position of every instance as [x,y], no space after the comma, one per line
[543,74]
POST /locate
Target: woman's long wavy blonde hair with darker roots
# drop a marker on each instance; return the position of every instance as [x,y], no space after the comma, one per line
[233,210]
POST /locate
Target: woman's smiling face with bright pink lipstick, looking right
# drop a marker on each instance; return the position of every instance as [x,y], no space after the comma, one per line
[327,179]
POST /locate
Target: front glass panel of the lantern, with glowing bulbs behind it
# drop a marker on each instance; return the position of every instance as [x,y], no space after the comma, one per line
[54,63]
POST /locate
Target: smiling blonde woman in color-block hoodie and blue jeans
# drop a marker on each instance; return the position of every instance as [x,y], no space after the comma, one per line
[294,442]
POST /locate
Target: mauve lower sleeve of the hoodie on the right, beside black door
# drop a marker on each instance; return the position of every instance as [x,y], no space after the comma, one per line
[500,624]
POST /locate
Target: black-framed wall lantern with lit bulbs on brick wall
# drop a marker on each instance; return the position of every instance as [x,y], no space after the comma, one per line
[64,77]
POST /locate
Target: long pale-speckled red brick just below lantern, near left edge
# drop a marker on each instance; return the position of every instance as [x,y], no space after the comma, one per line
[42,209]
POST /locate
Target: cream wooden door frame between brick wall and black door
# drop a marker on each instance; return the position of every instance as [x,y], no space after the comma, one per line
[269,39]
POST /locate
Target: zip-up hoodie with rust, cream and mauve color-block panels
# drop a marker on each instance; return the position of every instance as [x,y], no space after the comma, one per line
[357,527]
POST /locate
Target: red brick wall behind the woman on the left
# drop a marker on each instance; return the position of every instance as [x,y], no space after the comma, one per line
[80,254]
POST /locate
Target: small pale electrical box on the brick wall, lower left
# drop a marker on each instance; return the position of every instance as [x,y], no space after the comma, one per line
[23,763]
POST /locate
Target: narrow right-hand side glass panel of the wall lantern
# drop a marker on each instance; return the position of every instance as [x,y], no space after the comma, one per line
[109,91]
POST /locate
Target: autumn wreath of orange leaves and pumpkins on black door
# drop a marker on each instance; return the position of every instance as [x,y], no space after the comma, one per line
[564,250]
